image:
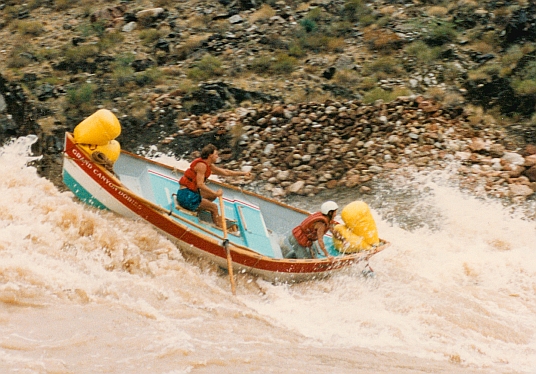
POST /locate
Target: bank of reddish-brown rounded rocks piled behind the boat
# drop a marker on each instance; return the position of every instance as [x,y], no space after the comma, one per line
[305,148]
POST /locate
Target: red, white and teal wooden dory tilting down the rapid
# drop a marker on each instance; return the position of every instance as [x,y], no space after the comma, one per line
[144,189]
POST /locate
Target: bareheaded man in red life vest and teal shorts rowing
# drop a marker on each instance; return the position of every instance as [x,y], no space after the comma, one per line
[194,194]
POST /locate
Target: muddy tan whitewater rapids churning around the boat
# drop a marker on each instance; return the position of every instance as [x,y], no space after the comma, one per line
[86,291]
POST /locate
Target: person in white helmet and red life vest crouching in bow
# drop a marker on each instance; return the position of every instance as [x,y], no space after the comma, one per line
[300,243]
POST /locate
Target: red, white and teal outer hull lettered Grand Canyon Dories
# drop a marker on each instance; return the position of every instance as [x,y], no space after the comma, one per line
[96,186]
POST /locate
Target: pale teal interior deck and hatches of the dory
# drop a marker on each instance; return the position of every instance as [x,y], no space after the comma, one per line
[252,222]
